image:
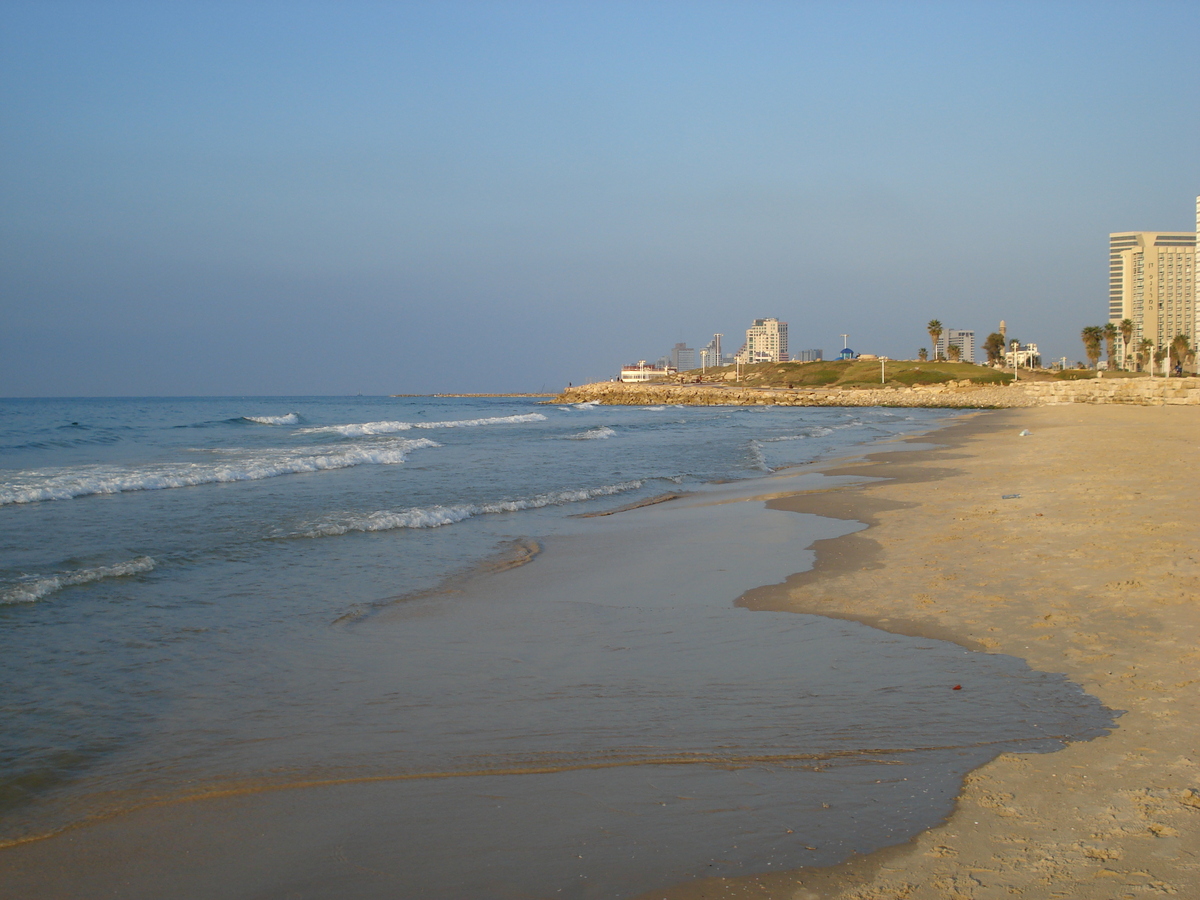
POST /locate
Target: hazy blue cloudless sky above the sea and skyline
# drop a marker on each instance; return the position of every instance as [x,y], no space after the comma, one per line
[333,199]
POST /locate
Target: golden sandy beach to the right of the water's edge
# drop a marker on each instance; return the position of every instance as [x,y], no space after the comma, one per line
[1091,572]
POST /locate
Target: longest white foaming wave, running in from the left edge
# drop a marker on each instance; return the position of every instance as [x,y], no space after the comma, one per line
[85,482]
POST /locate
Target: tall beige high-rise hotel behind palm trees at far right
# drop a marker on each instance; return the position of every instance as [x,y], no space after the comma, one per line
[1153,284]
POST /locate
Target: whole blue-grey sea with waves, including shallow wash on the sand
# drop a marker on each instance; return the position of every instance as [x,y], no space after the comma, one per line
[453,640]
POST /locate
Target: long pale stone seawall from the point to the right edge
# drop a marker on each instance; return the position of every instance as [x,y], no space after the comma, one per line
[953,395]
